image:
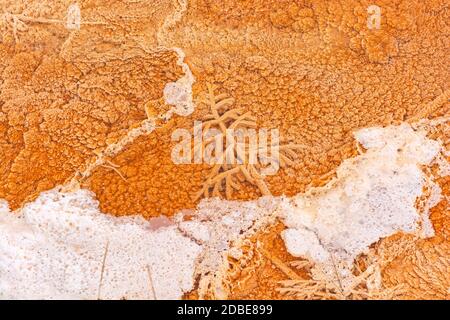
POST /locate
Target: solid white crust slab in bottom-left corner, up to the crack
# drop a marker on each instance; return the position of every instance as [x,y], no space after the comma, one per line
[62,247]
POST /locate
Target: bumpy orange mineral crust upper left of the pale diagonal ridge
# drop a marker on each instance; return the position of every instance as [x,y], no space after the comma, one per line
[66,95]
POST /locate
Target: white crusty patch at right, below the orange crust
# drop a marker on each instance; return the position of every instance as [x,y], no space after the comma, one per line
[374,195]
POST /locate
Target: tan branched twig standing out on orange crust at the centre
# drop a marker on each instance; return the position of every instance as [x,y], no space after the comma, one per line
[223,175]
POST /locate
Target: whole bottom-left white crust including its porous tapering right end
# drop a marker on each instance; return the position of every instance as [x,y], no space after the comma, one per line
[62,247]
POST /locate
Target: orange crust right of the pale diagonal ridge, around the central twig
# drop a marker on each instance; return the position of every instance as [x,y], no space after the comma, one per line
[315,84]
